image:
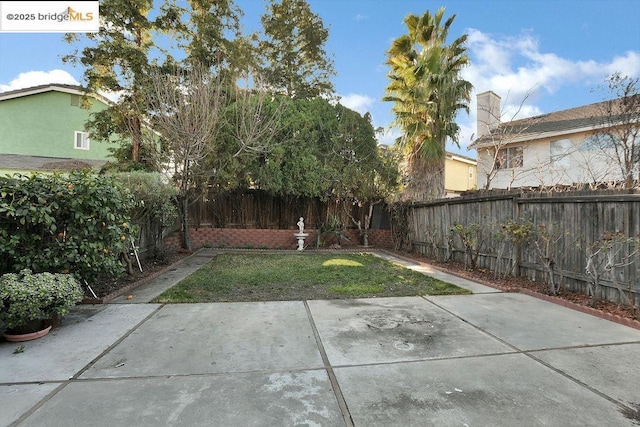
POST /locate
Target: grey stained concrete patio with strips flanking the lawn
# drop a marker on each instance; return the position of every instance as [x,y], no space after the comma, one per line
[487,359]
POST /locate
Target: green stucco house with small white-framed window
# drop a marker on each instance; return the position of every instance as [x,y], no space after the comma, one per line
[42,128]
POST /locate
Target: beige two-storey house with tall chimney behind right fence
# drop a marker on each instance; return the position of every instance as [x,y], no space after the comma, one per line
[565,148]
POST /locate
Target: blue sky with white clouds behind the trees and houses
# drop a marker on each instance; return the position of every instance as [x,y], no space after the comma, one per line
[540,56]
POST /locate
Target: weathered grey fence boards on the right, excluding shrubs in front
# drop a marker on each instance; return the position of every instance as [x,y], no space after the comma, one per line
[577,219]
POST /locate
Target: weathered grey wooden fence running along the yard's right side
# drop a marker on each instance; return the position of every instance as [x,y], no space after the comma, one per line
[575,224]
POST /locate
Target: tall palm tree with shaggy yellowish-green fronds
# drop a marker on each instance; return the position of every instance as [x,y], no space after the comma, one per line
[428,91]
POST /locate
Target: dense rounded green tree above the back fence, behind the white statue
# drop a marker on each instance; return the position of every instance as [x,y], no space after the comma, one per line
[326,151]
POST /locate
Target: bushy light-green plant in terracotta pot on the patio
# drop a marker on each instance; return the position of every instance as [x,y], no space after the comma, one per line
[28,301]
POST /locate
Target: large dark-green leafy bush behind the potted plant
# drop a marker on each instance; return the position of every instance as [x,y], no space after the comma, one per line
[75,223]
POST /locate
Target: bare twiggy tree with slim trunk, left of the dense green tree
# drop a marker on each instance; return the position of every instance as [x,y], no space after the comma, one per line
[205,132]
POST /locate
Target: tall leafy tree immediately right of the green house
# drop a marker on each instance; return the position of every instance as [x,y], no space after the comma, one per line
[117,60]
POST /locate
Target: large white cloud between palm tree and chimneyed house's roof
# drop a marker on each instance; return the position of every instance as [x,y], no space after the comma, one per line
[515,68]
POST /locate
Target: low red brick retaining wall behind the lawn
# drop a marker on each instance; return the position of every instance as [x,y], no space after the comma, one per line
[271,239]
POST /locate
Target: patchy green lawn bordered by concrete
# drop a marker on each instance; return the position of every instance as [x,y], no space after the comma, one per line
[280,277]
